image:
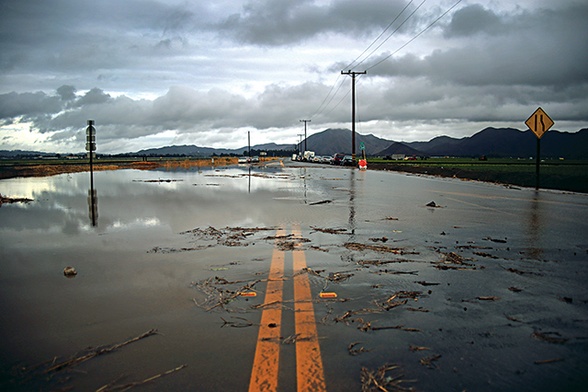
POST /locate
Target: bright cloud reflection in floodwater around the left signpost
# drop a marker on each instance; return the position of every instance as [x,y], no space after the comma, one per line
[127,202]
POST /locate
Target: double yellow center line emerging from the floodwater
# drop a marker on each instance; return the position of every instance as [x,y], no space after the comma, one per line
[309,365]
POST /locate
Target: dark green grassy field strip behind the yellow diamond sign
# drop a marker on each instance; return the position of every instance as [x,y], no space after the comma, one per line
[554,174]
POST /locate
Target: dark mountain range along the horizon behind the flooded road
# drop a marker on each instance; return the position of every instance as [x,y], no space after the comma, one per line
[491,142]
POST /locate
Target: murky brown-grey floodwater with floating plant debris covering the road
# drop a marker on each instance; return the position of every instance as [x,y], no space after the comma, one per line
[485,291]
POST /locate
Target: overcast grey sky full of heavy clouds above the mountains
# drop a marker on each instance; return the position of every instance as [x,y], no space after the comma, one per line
[161,72]
